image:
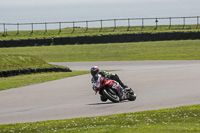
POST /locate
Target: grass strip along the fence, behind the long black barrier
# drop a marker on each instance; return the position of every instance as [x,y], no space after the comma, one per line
[68,32]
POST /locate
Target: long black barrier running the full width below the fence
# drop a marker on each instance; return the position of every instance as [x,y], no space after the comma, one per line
[116,38]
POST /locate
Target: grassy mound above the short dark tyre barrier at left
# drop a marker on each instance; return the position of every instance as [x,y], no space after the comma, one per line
[15,62]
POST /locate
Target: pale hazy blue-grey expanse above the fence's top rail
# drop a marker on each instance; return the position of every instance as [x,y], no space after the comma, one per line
[73,10]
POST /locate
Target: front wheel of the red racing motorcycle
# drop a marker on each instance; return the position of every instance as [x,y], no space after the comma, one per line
[111,95]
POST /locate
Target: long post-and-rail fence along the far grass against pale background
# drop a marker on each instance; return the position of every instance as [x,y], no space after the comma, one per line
[169,21]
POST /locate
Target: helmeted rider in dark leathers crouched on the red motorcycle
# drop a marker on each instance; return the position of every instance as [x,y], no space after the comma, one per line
[95,71]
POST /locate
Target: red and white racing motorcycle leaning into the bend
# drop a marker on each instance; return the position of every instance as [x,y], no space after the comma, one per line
[110,90]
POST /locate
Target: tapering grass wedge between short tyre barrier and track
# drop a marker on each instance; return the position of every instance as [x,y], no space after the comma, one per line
[24,80]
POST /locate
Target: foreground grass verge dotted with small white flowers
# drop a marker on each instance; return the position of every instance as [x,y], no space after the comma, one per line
[175,120]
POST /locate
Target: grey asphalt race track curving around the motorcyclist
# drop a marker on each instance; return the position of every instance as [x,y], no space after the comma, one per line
[158,84]
